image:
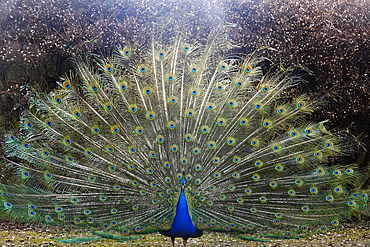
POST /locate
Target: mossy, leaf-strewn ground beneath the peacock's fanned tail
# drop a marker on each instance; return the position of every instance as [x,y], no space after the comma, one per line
[15,234]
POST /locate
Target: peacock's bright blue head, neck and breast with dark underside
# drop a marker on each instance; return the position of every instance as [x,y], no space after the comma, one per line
[182,225]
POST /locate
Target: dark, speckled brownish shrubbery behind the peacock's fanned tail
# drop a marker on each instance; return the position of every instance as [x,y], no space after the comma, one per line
[327,39]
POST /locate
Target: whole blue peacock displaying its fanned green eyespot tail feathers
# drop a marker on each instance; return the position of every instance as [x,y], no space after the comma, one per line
[178,136]
